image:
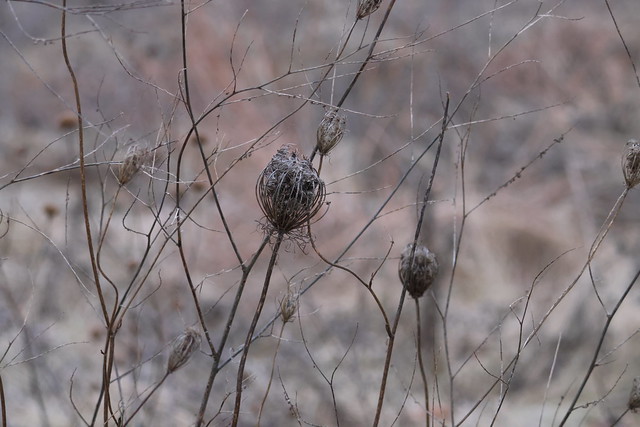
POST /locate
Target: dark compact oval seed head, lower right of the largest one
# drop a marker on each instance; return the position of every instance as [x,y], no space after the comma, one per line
[418,275]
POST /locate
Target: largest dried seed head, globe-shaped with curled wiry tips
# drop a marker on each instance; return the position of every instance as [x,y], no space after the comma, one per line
[289,191]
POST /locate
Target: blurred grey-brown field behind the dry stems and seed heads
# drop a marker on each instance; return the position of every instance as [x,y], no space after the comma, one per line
[565,77]
